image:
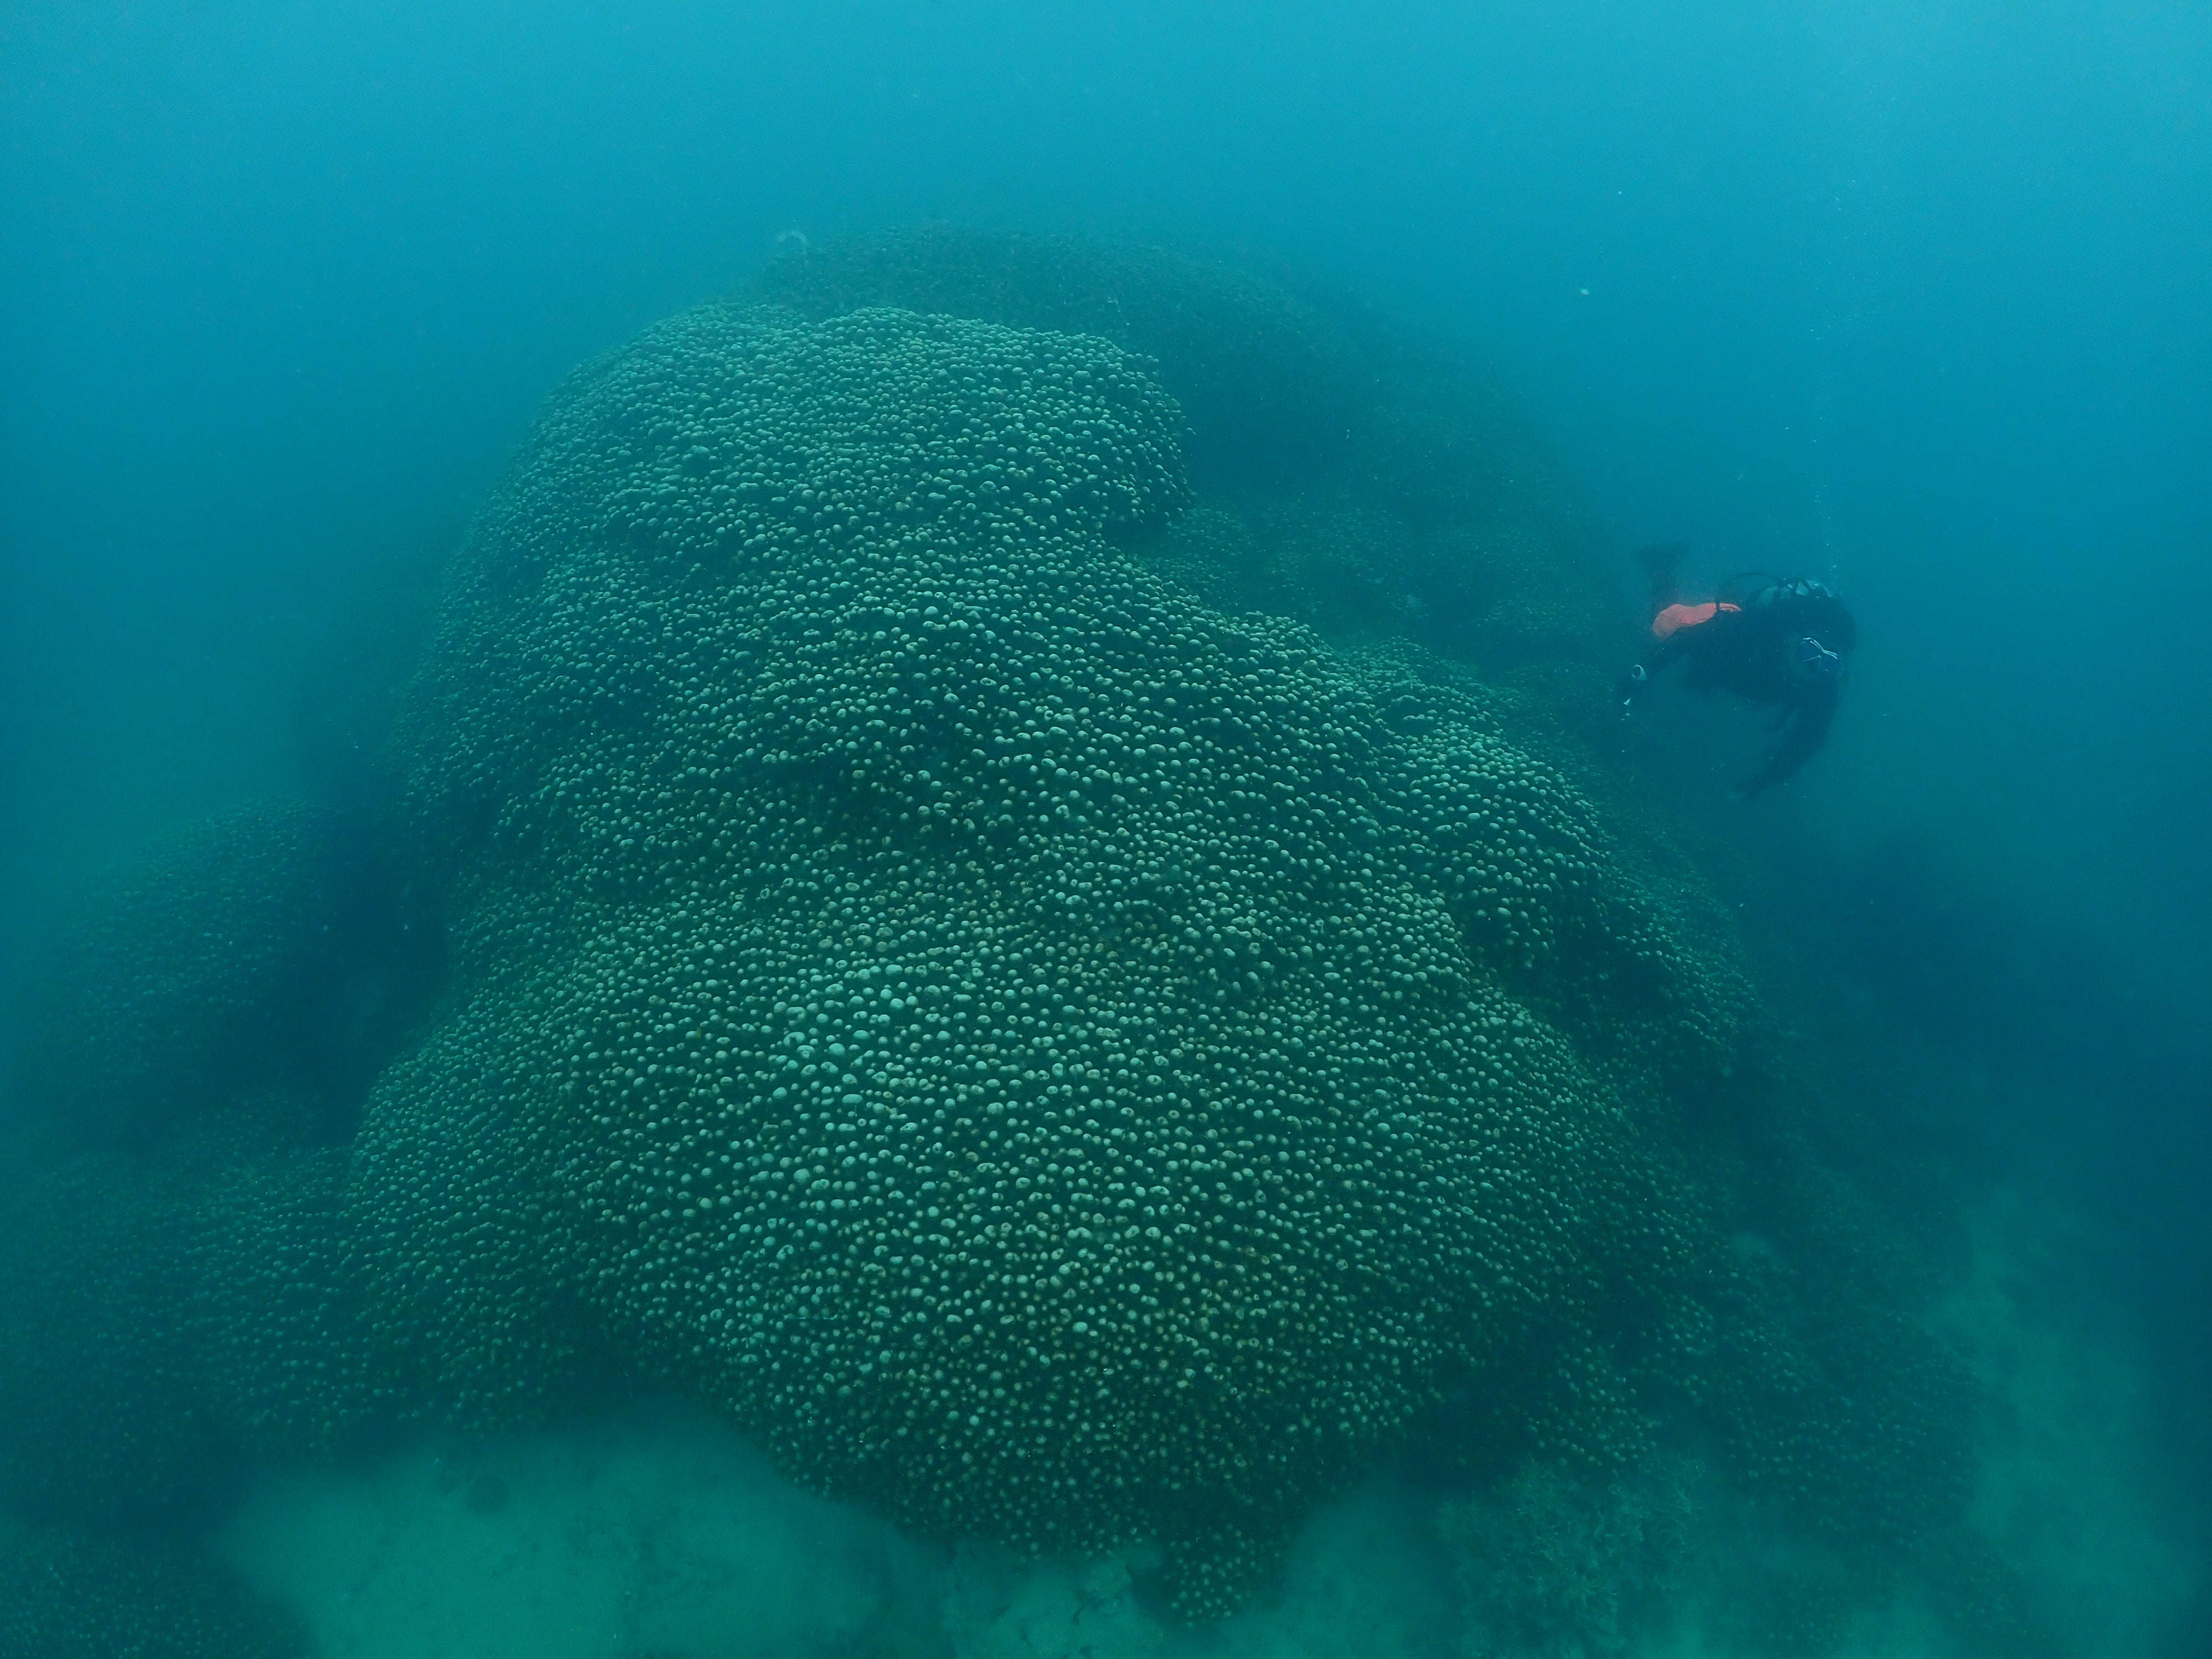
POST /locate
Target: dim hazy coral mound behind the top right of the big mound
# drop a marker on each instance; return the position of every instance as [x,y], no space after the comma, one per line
[1361,481]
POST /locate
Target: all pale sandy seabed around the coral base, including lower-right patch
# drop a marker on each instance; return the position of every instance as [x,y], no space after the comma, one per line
[665,1536]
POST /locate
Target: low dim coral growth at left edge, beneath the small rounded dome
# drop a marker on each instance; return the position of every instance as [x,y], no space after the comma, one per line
[169,1315]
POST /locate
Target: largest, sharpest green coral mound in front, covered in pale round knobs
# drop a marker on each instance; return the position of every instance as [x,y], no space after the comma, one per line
[1052,1058]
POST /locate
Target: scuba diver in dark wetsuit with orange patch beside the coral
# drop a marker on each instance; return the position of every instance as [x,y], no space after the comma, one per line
[1768,640]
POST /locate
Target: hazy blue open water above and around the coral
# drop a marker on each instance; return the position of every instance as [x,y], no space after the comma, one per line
[1908,298]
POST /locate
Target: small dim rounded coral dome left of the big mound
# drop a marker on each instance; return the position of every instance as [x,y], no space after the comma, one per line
[264,954]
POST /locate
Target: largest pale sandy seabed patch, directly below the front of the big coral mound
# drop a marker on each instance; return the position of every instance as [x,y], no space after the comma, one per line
[665,1536]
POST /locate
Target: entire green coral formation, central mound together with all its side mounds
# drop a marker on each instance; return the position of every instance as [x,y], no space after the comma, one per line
[1070,992]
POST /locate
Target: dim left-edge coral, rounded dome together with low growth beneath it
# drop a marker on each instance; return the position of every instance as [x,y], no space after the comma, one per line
[180,1280]
